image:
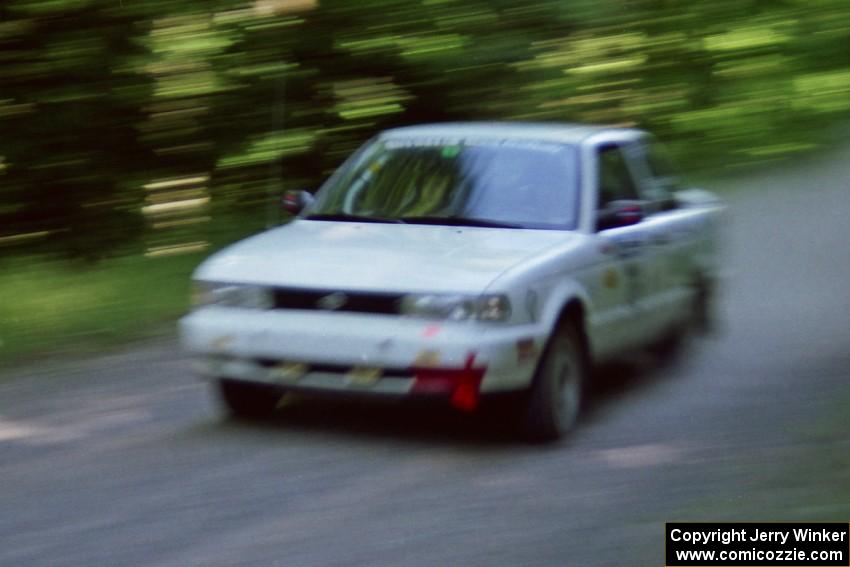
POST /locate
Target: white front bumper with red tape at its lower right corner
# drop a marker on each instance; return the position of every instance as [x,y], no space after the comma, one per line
[358,353]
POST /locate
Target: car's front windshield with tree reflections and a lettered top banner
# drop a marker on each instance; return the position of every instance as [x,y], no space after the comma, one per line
[515,184]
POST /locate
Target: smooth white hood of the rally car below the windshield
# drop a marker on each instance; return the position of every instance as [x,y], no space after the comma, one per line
[378,257]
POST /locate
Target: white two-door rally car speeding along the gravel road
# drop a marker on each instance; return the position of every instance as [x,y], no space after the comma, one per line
[456,261]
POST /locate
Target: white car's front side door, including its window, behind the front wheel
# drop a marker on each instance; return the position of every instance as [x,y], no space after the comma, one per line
[622,287]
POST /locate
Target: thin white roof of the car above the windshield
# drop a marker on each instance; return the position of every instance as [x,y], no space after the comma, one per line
[564,133]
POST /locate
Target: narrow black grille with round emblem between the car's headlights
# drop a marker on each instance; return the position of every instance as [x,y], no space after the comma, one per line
[358,302]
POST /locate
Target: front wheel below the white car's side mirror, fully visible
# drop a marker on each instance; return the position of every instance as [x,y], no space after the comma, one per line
[554,402]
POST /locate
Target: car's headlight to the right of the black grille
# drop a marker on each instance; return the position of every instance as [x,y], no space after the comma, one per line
[456,307]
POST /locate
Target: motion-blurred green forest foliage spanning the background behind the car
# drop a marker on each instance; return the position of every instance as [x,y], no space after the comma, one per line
[101,100]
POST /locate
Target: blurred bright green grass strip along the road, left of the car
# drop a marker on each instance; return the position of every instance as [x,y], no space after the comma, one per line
[52,307]
